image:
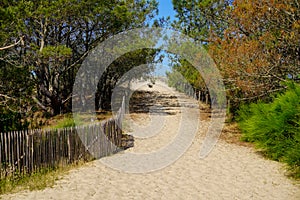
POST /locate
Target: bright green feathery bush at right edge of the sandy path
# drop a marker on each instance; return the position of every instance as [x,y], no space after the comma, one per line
[275,127]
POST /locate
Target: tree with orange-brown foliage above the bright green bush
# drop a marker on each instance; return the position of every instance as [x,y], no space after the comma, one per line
[260,48]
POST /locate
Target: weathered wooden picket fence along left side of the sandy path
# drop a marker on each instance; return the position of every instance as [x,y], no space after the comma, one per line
[26,152]
